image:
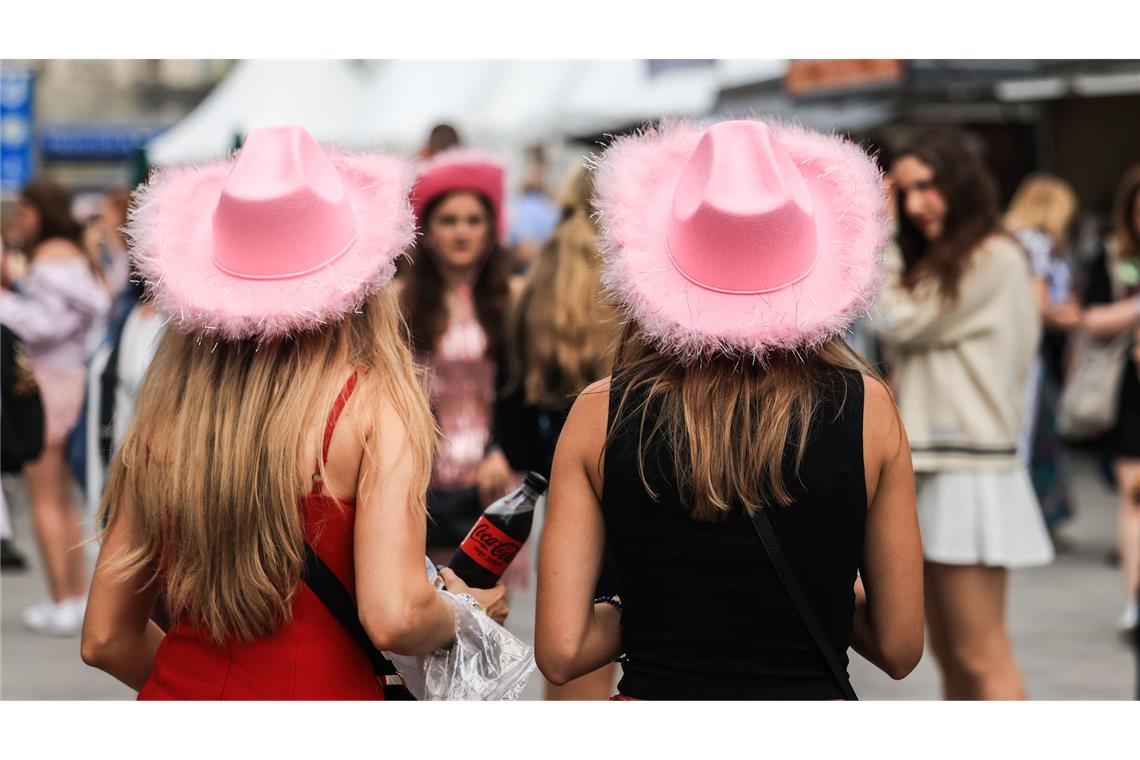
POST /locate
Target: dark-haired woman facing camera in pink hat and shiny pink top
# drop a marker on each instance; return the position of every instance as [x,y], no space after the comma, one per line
[455,296]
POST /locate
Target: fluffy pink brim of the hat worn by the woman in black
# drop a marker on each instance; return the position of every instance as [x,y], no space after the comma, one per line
[636,179]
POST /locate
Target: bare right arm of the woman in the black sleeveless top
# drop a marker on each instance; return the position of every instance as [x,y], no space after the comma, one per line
[889,623]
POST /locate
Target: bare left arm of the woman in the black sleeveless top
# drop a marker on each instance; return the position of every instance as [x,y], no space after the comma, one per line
[573,635]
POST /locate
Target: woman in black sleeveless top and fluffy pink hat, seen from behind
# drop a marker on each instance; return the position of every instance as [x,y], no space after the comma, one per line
[739,254]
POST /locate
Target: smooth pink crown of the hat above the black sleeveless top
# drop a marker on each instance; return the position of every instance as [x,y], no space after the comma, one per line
[743,217]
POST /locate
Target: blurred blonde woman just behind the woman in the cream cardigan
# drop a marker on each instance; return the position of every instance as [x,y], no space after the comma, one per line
[1041,218]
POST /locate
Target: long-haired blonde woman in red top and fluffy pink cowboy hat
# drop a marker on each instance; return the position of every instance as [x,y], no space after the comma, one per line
[282,410]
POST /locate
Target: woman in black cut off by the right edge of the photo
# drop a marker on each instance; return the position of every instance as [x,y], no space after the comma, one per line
[1112,309]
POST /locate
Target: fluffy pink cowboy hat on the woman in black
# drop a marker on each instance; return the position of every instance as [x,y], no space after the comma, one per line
[743,238]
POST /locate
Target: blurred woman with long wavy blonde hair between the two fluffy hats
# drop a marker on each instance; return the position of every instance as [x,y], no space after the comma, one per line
[560,339]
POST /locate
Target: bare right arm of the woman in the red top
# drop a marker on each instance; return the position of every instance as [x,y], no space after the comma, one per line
[398,607]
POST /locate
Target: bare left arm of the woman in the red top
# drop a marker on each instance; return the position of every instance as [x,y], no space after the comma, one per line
[119,636]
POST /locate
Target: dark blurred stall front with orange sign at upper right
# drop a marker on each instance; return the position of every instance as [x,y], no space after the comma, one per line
[1079,119]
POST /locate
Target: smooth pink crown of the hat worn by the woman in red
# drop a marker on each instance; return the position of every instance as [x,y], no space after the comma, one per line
[284,210]
